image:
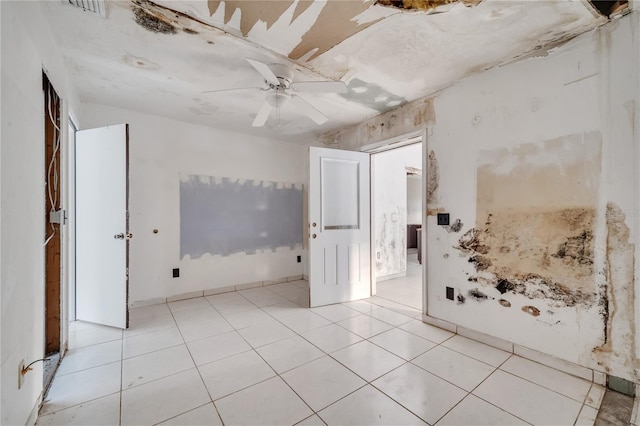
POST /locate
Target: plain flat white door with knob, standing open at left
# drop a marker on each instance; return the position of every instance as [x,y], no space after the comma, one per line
[102,237]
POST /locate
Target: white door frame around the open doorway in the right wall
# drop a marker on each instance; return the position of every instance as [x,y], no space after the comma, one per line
[388,145]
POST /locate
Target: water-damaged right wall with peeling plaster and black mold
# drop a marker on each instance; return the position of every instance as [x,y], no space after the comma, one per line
[538,163]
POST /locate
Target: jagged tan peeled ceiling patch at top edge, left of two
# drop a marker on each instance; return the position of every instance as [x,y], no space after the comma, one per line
[251,12]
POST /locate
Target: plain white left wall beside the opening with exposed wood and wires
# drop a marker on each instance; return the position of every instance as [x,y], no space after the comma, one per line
[27,47]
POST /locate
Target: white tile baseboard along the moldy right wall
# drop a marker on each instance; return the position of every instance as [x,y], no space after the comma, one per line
[595,376]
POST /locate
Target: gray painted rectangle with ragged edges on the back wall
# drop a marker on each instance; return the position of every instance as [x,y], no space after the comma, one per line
[223,216]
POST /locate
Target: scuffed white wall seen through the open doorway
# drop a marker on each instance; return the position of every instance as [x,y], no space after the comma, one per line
[389,186]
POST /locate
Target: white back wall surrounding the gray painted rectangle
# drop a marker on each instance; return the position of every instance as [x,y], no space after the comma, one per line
[160,150]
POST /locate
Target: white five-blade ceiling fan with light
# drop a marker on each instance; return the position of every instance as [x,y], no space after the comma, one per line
[281,90]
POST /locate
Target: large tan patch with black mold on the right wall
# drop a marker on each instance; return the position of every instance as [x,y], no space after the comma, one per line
[536,214]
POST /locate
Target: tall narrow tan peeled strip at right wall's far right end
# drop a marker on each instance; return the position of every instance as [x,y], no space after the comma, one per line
[620,327]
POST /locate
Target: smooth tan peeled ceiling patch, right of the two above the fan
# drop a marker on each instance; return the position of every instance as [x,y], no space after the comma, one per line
[336,23]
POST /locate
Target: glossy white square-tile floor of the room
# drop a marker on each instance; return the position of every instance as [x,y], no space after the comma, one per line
[257,357]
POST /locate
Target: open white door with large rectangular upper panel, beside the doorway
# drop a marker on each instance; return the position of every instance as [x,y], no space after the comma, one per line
[339,226]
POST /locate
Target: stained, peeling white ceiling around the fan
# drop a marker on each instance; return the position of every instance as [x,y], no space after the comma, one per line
[159,57]
